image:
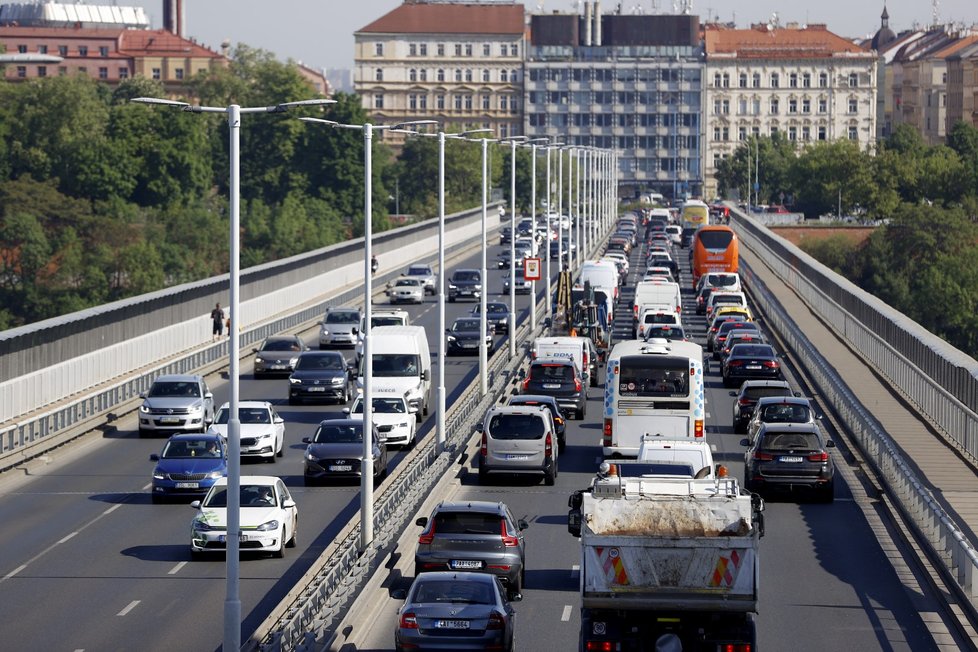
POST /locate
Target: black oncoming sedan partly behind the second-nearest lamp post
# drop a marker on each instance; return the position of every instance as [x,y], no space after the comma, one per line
[336,451]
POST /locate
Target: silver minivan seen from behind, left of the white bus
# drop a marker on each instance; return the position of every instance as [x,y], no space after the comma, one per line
[518,439]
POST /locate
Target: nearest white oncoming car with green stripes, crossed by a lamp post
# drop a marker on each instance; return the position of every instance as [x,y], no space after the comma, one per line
[269,517]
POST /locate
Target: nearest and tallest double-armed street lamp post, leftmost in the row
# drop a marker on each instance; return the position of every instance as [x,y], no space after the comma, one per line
[232,600]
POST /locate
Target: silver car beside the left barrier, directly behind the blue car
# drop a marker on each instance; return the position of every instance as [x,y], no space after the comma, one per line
[176,403]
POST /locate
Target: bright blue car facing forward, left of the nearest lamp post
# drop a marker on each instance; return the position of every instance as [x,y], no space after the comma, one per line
[188,466]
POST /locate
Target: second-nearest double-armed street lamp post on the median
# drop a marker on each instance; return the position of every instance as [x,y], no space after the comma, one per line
[366,466]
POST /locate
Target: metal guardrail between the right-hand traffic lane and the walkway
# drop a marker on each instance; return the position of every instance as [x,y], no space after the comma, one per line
[936,526]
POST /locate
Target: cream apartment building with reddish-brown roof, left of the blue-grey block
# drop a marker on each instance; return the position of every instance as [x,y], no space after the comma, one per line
[455,62]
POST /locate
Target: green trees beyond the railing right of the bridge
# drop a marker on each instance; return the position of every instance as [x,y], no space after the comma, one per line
[923,259]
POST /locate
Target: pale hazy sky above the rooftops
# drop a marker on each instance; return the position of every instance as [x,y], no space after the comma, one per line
[319,33]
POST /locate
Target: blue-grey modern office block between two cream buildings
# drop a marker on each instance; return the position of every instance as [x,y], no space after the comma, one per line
[628,82]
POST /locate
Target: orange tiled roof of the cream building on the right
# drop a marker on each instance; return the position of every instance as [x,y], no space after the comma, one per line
[813,42]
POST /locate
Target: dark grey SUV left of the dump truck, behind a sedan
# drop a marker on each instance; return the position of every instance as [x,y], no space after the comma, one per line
[473,536]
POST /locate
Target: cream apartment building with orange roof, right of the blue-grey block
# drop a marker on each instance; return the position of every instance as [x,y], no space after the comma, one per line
[803,82]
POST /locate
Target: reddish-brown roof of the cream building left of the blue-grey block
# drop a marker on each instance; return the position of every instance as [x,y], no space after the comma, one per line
[424,18]
